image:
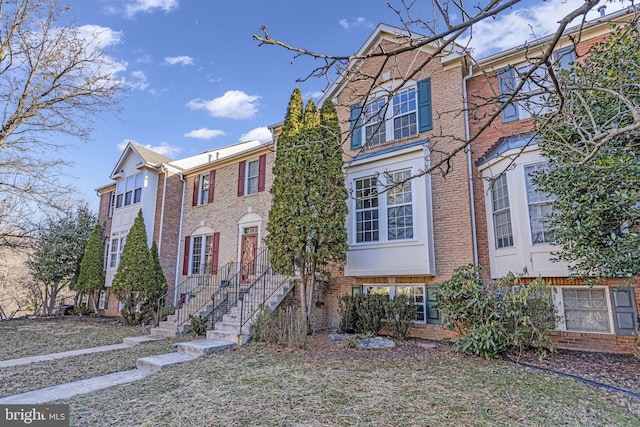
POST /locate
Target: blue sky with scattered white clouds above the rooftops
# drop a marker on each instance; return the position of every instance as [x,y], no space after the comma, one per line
[197,80]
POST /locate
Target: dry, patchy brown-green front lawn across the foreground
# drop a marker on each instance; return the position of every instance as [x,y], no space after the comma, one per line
[326,386]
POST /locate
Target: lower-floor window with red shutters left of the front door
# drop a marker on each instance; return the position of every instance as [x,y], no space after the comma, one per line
[201,254]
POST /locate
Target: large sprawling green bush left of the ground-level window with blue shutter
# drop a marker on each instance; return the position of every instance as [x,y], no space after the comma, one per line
[496,316]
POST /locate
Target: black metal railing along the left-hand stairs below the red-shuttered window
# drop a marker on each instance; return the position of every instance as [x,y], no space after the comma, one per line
[193,295]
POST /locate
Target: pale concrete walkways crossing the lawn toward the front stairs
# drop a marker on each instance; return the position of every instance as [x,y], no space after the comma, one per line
[146,366]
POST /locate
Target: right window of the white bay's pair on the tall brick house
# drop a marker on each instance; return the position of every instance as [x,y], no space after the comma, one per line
[399,206]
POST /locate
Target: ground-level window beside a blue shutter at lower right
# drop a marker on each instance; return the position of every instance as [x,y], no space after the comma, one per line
[584,309]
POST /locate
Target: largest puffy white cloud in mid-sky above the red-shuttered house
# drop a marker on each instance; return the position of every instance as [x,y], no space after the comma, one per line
[234,104]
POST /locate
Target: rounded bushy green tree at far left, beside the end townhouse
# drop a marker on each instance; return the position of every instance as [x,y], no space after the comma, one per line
[58,250]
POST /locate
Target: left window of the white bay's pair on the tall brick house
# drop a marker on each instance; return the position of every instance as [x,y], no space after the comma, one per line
[367,220]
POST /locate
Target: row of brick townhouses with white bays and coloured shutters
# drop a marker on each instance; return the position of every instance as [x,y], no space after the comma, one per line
[209,211]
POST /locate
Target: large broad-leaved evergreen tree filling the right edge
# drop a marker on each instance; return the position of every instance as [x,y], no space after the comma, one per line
[592,144]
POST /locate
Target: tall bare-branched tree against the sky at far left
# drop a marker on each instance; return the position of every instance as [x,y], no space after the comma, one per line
[54,80]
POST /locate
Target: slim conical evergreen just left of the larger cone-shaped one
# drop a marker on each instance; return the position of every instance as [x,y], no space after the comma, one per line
[90,278]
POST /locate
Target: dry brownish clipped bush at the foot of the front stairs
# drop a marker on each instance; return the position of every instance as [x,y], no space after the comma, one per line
[283,327]
